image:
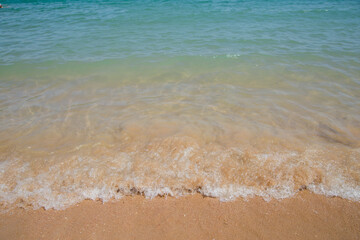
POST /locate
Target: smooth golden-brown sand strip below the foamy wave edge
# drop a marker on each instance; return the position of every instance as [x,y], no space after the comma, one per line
[306,216]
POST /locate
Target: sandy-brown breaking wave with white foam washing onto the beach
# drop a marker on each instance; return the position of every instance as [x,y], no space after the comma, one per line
[173,166]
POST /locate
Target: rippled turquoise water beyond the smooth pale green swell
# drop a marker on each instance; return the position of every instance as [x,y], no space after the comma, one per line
[88,31]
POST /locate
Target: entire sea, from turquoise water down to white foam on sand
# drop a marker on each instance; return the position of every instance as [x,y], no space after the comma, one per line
[103,99]
